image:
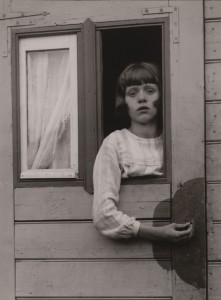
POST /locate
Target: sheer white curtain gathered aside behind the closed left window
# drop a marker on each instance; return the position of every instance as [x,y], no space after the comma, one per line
[48,109]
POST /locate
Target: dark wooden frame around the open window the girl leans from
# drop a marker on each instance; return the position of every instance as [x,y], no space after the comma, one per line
[166,89]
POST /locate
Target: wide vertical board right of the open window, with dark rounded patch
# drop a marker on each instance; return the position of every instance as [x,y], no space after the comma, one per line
[188,151]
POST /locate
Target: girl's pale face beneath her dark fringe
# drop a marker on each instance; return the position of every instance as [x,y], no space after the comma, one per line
[142,102]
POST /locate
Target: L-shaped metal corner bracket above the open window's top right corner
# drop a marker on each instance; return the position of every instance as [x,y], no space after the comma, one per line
[173,11]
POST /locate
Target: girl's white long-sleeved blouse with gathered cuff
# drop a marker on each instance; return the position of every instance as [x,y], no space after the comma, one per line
[122,155]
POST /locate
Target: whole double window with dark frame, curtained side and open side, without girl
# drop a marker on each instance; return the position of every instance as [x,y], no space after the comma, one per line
[65,89]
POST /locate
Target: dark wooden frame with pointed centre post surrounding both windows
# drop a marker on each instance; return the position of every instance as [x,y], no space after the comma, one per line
[90,98]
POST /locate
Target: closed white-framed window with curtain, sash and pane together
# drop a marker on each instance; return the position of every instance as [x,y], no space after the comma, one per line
[48,107]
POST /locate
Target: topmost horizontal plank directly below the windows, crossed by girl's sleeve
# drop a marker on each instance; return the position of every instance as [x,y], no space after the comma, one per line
[71,203]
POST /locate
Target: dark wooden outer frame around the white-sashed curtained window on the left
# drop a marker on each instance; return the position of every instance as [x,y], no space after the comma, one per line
[18,34]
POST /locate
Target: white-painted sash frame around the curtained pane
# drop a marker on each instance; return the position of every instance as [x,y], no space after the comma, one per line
[58,42]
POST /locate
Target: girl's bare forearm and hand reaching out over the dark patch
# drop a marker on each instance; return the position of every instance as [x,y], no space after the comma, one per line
[177,233]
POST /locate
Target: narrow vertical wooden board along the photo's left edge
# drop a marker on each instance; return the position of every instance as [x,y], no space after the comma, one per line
[7,282]
